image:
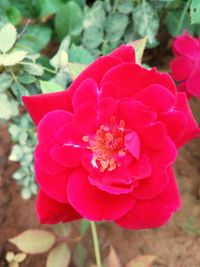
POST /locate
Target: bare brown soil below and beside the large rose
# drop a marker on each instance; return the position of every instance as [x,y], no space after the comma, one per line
[176,245]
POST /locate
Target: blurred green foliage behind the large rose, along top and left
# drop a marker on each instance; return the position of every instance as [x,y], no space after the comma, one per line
[44,44]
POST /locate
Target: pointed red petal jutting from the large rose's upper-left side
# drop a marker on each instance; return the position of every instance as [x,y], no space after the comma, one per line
[39,105]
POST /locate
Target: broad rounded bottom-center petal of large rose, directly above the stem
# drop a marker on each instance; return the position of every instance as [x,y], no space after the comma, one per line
[94,204]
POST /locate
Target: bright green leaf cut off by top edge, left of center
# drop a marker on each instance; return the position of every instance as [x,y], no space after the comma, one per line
[48,7]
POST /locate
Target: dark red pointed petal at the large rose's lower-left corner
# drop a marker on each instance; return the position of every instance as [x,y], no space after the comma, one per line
[51,211]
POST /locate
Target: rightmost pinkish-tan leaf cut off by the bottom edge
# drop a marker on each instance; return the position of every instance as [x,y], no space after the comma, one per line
[142,261]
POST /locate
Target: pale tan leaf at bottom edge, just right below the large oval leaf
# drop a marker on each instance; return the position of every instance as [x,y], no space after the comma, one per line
[59,256]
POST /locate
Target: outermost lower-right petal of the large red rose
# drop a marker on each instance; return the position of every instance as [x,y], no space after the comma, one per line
[155,212]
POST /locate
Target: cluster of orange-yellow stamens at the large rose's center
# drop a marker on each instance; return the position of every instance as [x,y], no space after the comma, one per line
[107,145]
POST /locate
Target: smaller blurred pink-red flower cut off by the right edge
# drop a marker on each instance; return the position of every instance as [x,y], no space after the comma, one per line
[185,67]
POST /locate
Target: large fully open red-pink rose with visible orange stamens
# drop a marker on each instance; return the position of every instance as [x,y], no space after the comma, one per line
[107,145]
